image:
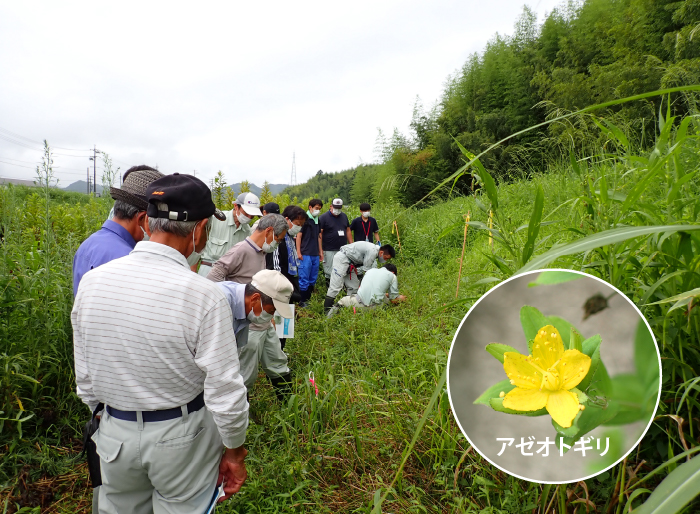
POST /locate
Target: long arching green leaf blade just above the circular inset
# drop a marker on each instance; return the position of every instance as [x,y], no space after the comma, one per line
[607,237]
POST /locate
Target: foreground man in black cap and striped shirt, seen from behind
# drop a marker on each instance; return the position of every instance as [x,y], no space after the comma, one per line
[154,343]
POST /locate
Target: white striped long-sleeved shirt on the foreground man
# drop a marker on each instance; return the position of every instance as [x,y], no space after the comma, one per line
[149,334]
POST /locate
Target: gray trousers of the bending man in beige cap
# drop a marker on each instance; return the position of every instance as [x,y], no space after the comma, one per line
[263,348]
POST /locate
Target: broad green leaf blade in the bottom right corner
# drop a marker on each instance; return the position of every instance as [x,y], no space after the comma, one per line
[675,491]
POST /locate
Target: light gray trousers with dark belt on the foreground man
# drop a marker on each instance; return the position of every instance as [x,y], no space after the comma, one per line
[158,467]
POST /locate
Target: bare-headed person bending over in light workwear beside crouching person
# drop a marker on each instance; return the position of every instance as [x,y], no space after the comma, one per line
[350,263]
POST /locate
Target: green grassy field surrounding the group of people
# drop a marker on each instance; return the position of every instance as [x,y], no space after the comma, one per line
[380,374]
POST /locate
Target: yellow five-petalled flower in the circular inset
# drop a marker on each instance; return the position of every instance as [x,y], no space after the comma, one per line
[545,378]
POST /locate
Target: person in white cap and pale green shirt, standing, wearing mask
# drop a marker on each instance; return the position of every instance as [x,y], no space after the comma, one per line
[225,234]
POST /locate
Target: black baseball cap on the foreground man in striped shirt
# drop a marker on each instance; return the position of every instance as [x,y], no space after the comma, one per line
[186,198]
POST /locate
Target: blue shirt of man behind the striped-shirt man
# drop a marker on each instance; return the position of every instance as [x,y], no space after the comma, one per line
[111,242]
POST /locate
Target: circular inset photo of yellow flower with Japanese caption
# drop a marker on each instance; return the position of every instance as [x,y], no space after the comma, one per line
[554,376]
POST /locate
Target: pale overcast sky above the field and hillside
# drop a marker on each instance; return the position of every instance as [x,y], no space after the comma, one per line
[226,85]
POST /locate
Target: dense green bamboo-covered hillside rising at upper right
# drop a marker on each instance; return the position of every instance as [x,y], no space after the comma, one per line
[584,53]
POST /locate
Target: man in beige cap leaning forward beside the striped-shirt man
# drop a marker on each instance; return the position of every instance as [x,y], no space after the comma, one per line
[256,302]
